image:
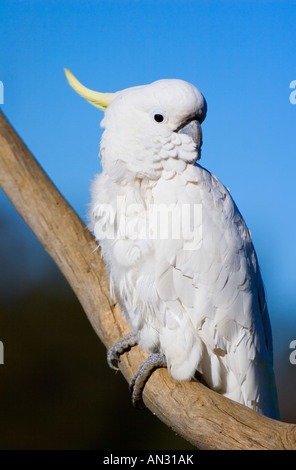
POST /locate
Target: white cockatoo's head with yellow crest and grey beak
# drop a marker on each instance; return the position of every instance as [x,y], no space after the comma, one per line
[151,127]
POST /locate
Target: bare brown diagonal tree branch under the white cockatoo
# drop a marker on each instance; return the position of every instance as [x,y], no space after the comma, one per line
[203,417]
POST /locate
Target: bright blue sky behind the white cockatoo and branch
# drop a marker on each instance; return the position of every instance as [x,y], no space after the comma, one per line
[240,54]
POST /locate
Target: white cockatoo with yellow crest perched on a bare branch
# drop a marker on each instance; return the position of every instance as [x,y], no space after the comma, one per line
[178,252]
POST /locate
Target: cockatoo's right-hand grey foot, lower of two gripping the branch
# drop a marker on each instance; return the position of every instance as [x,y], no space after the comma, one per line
[137,383]
